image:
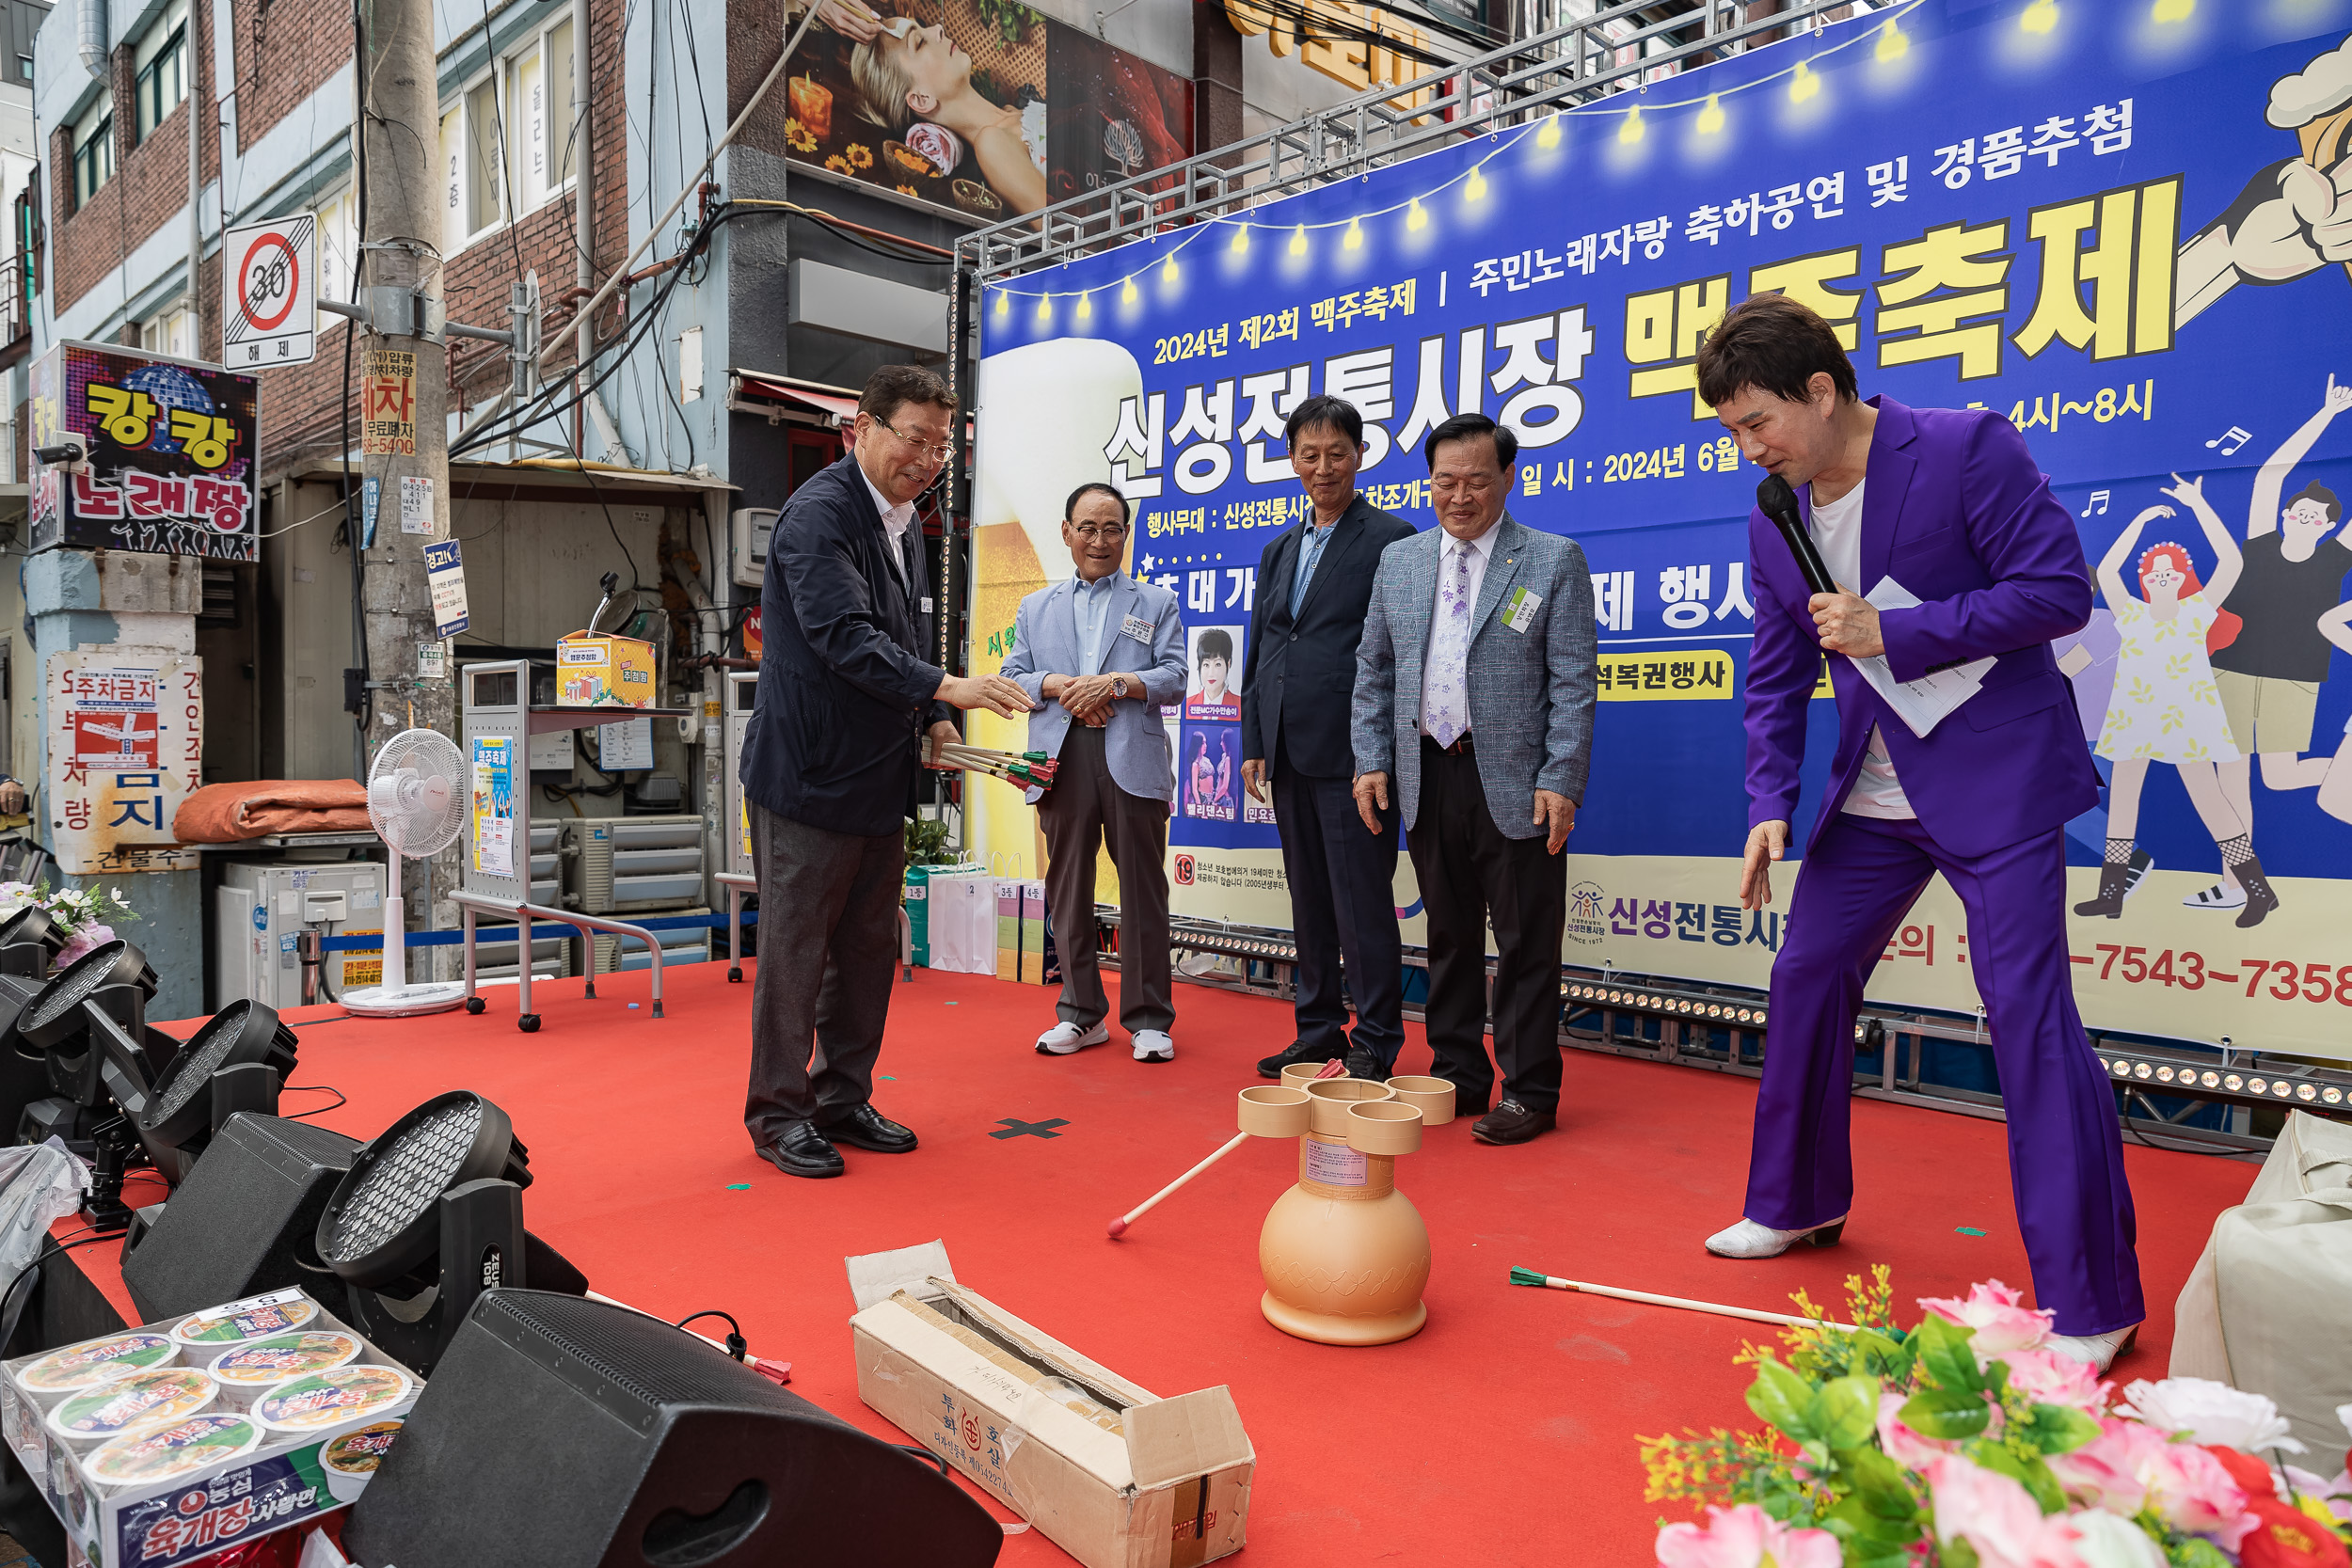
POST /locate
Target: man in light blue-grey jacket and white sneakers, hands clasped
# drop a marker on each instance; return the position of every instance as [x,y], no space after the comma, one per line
[1107,652]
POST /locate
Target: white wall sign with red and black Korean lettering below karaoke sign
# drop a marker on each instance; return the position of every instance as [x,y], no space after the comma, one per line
[128,744]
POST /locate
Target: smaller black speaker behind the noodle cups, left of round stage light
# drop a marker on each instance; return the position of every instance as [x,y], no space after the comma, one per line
[243,1221]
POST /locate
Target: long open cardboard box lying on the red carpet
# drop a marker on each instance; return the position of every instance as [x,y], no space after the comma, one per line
[1111,1473]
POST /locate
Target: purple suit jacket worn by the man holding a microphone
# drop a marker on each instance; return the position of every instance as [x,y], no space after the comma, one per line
[1960,516]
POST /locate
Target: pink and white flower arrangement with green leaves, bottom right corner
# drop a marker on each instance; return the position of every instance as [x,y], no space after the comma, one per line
[1970,1445]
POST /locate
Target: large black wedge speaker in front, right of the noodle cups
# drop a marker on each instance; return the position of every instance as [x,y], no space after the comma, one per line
[566,1433]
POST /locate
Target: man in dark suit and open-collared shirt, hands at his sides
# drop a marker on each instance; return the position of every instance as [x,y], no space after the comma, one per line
[1299,674]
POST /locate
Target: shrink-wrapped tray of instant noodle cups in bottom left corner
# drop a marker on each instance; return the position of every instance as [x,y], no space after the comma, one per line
[175,1440]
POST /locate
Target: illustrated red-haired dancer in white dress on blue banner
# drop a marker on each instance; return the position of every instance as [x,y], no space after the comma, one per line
[2165,704]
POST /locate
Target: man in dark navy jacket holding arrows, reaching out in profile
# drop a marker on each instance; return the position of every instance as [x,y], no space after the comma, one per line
[829,772]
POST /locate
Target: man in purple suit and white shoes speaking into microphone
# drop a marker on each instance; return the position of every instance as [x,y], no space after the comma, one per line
[1949,507]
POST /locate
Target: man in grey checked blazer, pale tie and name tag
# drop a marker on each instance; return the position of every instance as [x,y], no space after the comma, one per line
[1474,692]
